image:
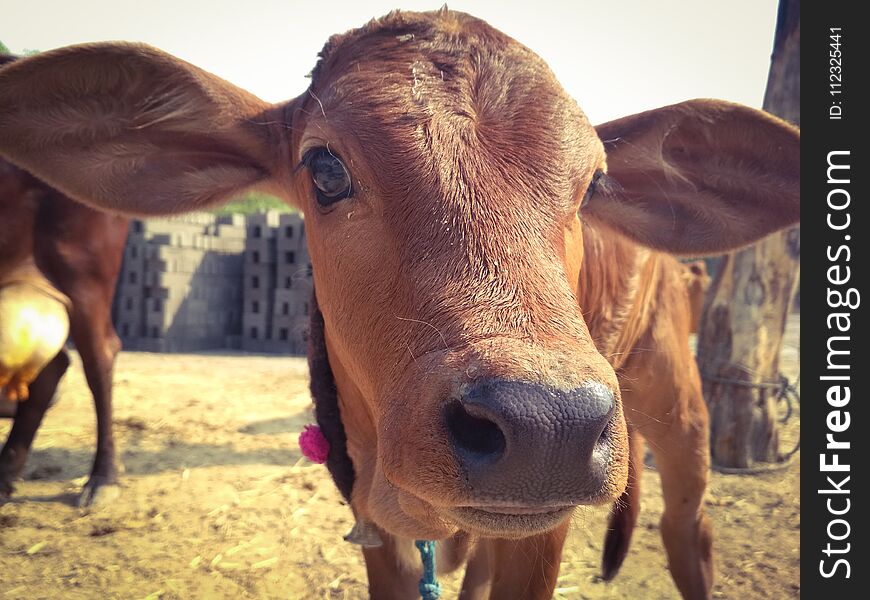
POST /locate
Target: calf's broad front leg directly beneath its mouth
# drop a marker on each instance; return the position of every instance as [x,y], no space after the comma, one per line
[527,569]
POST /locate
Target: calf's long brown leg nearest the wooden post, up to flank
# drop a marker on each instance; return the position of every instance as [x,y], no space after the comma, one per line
[662,400]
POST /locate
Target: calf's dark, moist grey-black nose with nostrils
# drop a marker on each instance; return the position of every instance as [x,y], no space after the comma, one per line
[521,443]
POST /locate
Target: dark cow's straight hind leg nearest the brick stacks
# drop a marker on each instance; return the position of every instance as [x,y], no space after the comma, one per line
[97,344]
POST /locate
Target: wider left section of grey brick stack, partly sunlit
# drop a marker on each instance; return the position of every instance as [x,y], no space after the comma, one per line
[180,285]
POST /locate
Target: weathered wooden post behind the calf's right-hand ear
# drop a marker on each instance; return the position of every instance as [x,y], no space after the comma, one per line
[746,307]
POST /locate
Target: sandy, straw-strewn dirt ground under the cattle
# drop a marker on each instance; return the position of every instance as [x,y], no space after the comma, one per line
[217,502]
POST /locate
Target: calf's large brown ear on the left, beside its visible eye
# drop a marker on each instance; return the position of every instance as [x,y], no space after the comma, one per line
[128,128]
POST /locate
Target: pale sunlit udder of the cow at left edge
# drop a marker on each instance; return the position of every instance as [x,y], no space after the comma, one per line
[34,324]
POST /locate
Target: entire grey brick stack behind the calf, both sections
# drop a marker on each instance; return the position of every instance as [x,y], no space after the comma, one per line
[201,281]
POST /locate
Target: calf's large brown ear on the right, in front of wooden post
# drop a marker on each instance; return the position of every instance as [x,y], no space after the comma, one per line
[699,177]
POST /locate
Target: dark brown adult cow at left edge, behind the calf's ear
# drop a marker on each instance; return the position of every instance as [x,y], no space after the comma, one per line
[78,250]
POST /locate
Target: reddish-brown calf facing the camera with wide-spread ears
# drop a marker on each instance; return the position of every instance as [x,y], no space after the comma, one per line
[485,263]
